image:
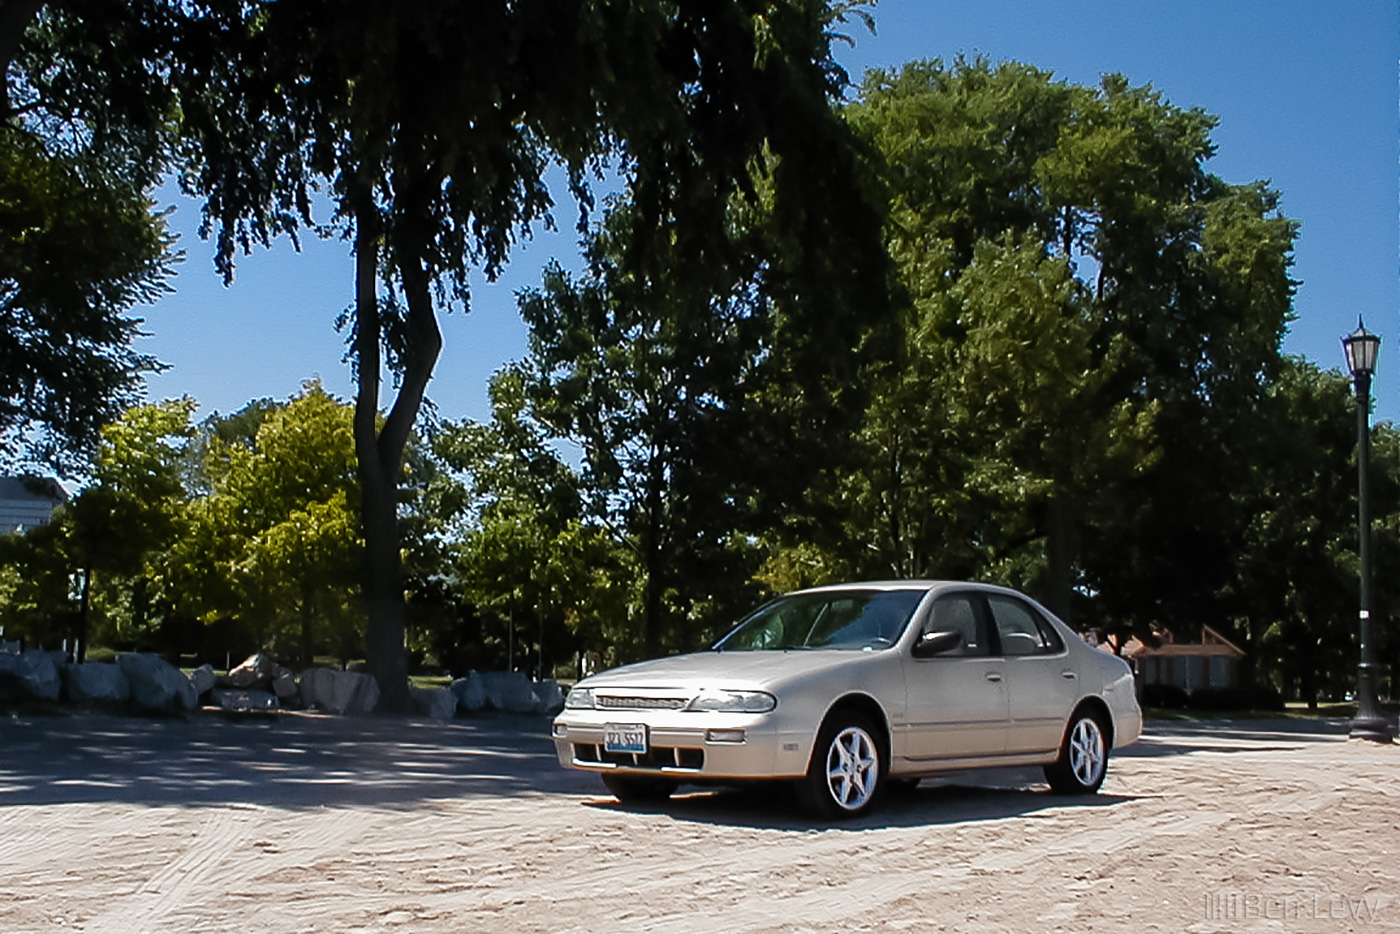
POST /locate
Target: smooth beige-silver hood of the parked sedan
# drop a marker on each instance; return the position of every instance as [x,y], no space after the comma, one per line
[741,670]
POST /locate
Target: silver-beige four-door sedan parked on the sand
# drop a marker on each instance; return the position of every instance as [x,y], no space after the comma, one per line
[846,690]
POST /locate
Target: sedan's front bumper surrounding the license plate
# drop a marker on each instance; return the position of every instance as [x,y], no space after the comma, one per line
[685,746]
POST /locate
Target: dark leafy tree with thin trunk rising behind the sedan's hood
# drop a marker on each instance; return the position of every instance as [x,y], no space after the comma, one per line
[652,376]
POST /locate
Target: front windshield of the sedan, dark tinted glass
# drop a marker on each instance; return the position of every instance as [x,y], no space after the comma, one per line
[859,620]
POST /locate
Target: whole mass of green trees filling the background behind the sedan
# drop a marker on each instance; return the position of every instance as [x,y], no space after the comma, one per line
[975,323]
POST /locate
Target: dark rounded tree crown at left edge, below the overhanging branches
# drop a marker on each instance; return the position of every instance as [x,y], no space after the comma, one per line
[79,249]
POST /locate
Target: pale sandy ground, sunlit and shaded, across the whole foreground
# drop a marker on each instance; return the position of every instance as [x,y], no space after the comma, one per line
[124,825]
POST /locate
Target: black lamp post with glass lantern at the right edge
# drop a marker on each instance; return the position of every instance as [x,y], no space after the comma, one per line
[1361,348]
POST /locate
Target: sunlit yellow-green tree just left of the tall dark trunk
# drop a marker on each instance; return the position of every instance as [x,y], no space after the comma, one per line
[276,541]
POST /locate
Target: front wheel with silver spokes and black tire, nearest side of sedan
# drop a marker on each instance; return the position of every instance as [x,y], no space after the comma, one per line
[848,771]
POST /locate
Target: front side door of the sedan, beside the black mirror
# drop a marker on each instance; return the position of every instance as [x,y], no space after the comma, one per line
[958,702]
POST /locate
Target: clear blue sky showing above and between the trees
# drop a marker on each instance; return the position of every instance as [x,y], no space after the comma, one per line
[1305,93]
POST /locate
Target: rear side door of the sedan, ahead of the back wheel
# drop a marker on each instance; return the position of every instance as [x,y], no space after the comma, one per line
[1041,678]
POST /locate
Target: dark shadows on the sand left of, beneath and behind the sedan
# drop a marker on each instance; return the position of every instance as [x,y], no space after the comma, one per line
[302,761]
